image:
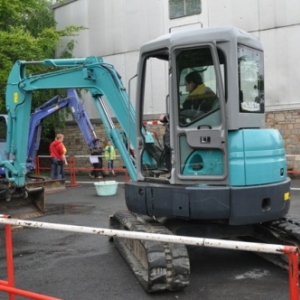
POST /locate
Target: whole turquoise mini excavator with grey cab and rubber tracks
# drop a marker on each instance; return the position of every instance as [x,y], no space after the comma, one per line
[228,173]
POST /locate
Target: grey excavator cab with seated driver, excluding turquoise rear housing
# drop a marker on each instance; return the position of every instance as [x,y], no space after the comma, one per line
[230,81]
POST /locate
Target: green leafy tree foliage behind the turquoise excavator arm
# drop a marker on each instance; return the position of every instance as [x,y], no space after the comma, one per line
[28,32]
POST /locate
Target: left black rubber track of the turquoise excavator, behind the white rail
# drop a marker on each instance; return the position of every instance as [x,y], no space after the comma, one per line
[168,266]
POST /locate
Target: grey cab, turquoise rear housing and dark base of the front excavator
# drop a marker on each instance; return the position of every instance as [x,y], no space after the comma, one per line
[217,137]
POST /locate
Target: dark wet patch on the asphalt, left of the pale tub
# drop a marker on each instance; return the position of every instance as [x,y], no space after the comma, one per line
[70,209]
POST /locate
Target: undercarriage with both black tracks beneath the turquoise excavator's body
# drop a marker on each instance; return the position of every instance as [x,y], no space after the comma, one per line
[160,266]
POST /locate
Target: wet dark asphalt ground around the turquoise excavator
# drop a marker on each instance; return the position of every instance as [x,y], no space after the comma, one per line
[78,266]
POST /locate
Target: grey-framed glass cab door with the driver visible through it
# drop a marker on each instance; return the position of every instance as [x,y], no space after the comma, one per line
[199,127]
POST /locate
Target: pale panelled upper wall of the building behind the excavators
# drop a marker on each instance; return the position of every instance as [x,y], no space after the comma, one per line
[117,29]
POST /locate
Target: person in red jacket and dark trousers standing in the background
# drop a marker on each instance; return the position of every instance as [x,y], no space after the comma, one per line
[58,155]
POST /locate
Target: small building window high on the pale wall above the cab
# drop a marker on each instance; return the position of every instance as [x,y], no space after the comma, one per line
[182,8]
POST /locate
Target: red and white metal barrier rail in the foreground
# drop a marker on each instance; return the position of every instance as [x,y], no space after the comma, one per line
[290,251]
